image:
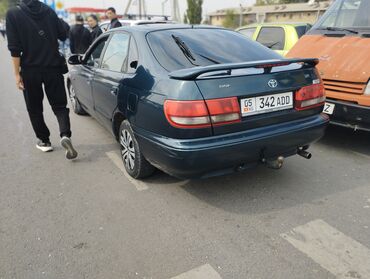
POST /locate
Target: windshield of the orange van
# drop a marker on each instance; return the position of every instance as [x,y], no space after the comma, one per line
[348,14]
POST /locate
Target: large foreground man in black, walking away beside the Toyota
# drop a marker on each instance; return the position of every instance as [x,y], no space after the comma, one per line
[33,30]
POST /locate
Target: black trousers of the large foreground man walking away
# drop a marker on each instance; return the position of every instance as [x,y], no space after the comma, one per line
[53,83]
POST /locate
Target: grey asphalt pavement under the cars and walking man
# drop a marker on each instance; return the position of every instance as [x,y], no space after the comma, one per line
[87,219]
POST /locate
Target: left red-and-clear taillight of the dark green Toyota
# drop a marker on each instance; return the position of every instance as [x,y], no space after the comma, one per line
[202,114]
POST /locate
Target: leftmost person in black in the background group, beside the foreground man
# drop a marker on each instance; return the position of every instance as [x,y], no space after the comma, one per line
[79,37]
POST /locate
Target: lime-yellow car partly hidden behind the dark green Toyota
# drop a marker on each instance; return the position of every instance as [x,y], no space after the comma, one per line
[280,37]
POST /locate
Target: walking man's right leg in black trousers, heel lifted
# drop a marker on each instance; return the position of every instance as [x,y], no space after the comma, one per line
[57,96]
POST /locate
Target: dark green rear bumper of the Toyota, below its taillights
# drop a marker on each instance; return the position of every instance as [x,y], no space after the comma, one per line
[205,157]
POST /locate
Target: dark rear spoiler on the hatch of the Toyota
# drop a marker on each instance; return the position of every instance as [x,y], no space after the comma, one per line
[267,65]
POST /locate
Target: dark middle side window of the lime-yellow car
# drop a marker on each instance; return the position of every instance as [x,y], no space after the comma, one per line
[272,37]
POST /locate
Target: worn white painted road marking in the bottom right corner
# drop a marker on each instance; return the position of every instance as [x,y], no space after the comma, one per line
[331,249]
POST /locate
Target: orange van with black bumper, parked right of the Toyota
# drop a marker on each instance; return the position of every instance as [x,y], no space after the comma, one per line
[341,40]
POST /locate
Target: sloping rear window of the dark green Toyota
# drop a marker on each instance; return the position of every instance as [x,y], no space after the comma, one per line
[206,46]
